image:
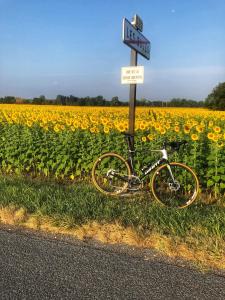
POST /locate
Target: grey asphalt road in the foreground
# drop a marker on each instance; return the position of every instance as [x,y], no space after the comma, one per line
[41,266]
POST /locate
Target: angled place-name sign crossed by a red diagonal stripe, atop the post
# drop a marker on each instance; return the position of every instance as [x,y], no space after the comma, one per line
[135,39]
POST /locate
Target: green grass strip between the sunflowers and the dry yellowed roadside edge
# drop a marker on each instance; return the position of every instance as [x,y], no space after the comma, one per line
[80,203]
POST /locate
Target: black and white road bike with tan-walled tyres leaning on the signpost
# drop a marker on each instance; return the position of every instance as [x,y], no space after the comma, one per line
[173,184]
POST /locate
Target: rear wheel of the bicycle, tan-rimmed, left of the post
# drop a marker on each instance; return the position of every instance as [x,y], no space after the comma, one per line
[110,174]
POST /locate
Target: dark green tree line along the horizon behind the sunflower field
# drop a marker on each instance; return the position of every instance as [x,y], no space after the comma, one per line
[215,100]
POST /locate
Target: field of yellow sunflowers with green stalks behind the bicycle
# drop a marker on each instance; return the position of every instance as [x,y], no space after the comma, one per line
[63,141]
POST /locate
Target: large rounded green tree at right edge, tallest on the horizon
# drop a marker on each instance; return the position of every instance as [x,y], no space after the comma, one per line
[216,100]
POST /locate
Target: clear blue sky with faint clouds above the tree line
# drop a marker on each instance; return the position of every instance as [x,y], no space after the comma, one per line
[75,47]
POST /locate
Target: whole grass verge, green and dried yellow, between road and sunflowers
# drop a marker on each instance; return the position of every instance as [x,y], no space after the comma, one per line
[196,233]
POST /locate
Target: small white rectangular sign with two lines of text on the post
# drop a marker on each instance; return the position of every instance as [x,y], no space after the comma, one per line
[132,75]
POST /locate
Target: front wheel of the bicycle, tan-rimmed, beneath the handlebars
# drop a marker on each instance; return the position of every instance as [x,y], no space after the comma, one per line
[175,185]
